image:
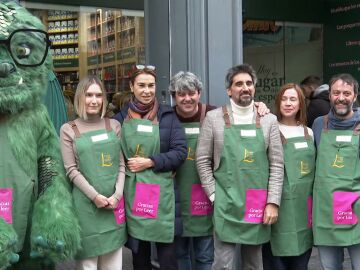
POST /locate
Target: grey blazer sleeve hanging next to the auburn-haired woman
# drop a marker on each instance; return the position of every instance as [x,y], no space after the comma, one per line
[276,164]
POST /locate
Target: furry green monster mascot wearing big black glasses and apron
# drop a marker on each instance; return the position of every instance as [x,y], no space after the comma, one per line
[37,220]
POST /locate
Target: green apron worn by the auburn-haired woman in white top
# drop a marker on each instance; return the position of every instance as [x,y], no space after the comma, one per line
[291,235]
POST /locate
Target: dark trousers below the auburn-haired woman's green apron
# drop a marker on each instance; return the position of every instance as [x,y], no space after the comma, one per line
[271,262]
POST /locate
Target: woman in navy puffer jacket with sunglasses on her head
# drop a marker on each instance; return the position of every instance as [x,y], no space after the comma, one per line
[154,146]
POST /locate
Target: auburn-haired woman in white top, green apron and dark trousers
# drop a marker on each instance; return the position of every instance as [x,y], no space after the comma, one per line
[291,237]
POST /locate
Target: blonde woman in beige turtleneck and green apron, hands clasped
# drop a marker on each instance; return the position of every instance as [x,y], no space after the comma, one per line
[93,161]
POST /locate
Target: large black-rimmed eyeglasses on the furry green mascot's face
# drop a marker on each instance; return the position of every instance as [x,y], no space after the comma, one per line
[28,47]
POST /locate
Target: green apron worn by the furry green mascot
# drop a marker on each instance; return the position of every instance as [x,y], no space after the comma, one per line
[17,190]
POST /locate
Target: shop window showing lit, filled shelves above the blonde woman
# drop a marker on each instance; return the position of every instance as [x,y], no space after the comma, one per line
[90,40]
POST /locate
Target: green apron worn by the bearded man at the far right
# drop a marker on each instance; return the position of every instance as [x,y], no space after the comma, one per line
[337,188]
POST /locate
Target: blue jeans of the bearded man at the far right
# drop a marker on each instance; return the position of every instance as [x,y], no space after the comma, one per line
[332,257]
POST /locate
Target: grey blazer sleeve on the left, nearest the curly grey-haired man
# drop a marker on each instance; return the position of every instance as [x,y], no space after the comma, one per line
[204,156]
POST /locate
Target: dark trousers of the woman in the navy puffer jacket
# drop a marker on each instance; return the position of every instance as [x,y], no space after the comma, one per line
[165,253]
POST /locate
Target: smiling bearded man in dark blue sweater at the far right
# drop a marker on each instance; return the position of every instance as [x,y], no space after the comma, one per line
[337,180]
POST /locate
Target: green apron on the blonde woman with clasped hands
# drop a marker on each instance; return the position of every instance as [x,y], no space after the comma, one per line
[102,231]
